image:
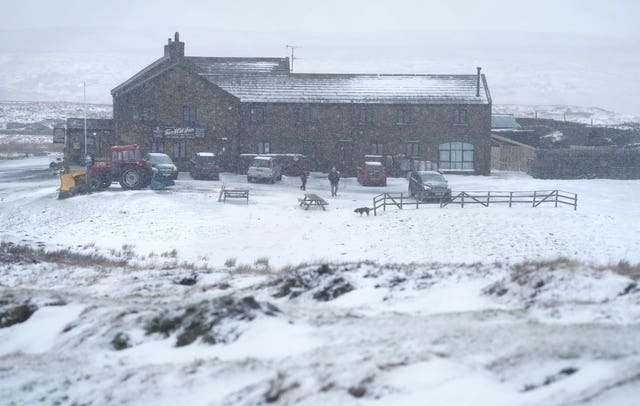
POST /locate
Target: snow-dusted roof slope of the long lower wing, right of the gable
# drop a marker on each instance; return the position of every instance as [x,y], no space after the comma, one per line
[353,88]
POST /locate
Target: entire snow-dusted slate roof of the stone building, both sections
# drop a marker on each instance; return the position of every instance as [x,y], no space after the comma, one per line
[267,80]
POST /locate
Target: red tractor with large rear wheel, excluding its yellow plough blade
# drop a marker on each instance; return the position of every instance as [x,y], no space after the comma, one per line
[123,164]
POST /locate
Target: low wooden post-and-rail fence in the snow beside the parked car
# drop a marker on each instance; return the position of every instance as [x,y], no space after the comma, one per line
[484,198]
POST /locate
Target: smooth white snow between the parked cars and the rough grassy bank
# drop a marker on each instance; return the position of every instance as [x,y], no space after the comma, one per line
[188,218]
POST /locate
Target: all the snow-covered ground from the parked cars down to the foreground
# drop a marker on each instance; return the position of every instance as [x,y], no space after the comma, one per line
[169,297]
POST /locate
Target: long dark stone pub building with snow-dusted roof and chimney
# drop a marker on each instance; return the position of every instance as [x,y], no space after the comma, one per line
[181,105]
